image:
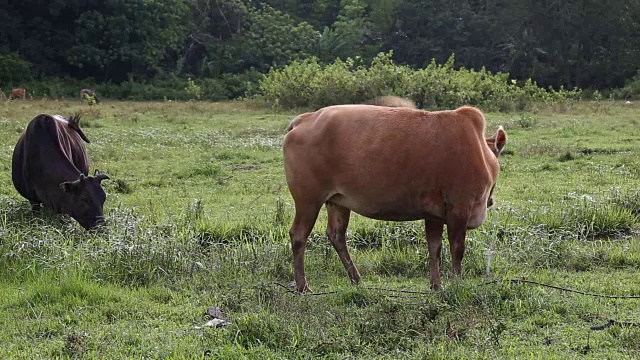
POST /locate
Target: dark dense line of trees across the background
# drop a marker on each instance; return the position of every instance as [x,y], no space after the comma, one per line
[571,43]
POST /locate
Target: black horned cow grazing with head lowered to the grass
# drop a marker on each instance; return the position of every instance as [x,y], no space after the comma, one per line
[50,167]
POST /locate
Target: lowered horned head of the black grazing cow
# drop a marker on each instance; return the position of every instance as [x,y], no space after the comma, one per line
[86,199]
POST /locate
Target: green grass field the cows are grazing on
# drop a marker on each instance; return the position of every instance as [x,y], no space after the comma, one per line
[198,214]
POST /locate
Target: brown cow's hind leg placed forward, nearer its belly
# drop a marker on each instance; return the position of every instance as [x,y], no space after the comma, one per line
[336,231]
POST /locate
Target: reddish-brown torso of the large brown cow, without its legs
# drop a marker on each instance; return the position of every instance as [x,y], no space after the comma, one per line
[391,163]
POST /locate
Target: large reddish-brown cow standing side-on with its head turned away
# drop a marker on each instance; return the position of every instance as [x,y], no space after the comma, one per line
[394,164]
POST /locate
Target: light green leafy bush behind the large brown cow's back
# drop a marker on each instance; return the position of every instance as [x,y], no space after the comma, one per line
[310,84]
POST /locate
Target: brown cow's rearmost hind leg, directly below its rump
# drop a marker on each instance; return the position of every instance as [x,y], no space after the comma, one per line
[302,225]
